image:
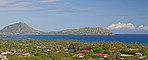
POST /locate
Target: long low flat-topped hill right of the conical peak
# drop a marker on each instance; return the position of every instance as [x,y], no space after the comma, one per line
[84,31]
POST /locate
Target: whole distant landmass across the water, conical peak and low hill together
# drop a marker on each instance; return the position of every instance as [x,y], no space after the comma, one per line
[23,29]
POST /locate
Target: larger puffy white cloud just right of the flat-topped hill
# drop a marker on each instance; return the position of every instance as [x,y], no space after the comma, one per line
[121,26]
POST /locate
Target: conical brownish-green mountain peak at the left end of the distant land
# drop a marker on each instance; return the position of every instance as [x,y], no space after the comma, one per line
[18,28]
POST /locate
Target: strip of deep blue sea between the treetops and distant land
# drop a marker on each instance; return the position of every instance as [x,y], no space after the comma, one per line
[128,38]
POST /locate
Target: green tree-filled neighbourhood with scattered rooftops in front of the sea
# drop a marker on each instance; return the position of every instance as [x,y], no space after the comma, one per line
[31,49]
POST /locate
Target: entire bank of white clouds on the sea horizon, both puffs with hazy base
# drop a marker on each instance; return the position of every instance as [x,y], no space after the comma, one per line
[127,28]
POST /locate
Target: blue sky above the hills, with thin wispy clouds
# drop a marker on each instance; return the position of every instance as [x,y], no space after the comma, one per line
[56,15]
